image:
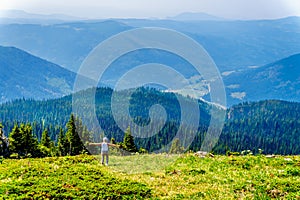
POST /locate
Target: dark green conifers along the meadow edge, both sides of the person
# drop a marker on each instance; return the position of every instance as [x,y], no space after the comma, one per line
[23,143]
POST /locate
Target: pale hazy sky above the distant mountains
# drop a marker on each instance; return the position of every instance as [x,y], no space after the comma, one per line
[238,9]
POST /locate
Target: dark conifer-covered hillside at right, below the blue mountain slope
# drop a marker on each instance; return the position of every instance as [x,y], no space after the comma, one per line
[273,126]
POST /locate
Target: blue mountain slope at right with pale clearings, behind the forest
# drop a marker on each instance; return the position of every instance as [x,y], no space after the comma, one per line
[278,80]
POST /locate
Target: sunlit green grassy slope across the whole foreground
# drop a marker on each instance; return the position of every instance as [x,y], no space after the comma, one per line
[153,176]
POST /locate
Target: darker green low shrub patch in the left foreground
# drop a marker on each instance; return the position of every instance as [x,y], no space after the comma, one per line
[65,178]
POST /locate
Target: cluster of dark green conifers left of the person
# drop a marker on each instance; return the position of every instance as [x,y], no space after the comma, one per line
[23,143]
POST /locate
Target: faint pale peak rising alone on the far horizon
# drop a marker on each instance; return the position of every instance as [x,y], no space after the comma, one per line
[195,16]
